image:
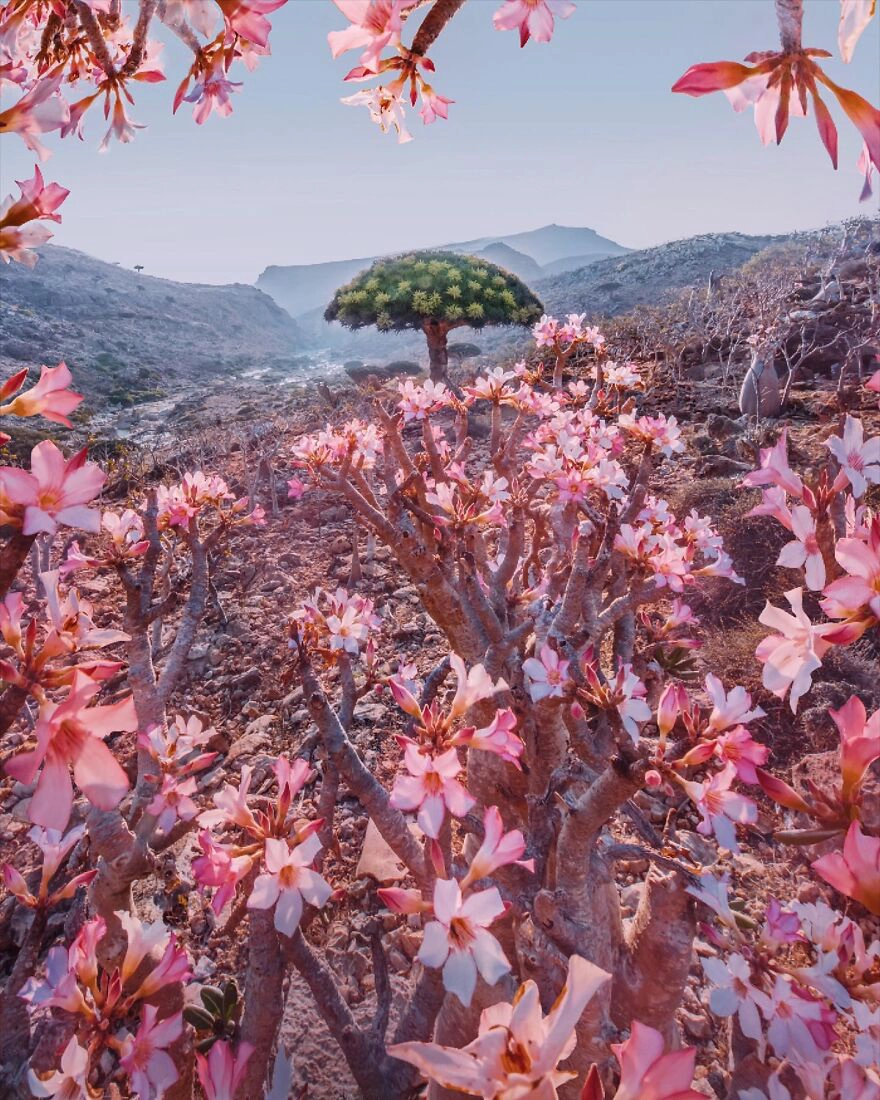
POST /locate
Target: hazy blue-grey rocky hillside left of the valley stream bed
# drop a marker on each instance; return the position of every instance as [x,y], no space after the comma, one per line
[130,337]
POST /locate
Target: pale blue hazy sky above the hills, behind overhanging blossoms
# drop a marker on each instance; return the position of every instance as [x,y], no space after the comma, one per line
[581,133]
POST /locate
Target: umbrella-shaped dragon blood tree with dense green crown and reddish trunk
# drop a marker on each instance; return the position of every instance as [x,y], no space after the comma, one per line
[435,293]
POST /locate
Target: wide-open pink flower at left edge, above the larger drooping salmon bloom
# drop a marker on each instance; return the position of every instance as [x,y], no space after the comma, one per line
[56,491]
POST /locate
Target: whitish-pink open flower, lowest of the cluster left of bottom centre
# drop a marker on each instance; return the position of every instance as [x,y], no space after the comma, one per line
[289,882]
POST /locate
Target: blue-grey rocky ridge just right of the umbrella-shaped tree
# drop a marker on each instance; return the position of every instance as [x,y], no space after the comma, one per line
[612,287]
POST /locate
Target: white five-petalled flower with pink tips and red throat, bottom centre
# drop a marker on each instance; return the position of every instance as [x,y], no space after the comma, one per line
[459,942]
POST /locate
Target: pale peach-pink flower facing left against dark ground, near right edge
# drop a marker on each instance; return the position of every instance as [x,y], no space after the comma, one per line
[791,657]
